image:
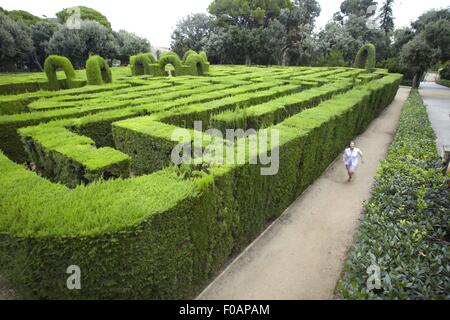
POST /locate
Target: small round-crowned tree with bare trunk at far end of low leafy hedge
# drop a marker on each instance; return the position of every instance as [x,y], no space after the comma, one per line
[416,56]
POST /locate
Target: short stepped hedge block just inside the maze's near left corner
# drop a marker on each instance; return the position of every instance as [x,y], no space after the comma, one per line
[70,159]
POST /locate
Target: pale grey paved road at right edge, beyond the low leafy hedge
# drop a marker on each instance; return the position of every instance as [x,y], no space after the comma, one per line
[437,99]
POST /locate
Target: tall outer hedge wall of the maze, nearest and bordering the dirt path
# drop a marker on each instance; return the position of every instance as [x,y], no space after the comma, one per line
[177,232]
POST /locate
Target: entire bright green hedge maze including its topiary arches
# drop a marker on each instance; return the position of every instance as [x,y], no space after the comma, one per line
[86,177]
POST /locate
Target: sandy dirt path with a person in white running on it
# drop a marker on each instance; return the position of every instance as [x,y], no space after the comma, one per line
[301,255]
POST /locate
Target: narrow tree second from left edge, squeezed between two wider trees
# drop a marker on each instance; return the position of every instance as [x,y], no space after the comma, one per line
[41,33]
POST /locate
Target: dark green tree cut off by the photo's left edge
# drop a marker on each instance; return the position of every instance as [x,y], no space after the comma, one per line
[15,43]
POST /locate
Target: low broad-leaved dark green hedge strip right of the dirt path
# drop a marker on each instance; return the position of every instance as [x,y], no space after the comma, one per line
[406,224]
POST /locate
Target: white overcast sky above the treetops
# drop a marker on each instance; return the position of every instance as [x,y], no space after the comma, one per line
[156,19]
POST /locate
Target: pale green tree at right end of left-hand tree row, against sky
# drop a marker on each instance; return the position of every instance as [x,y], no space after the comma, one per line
[129,44]
